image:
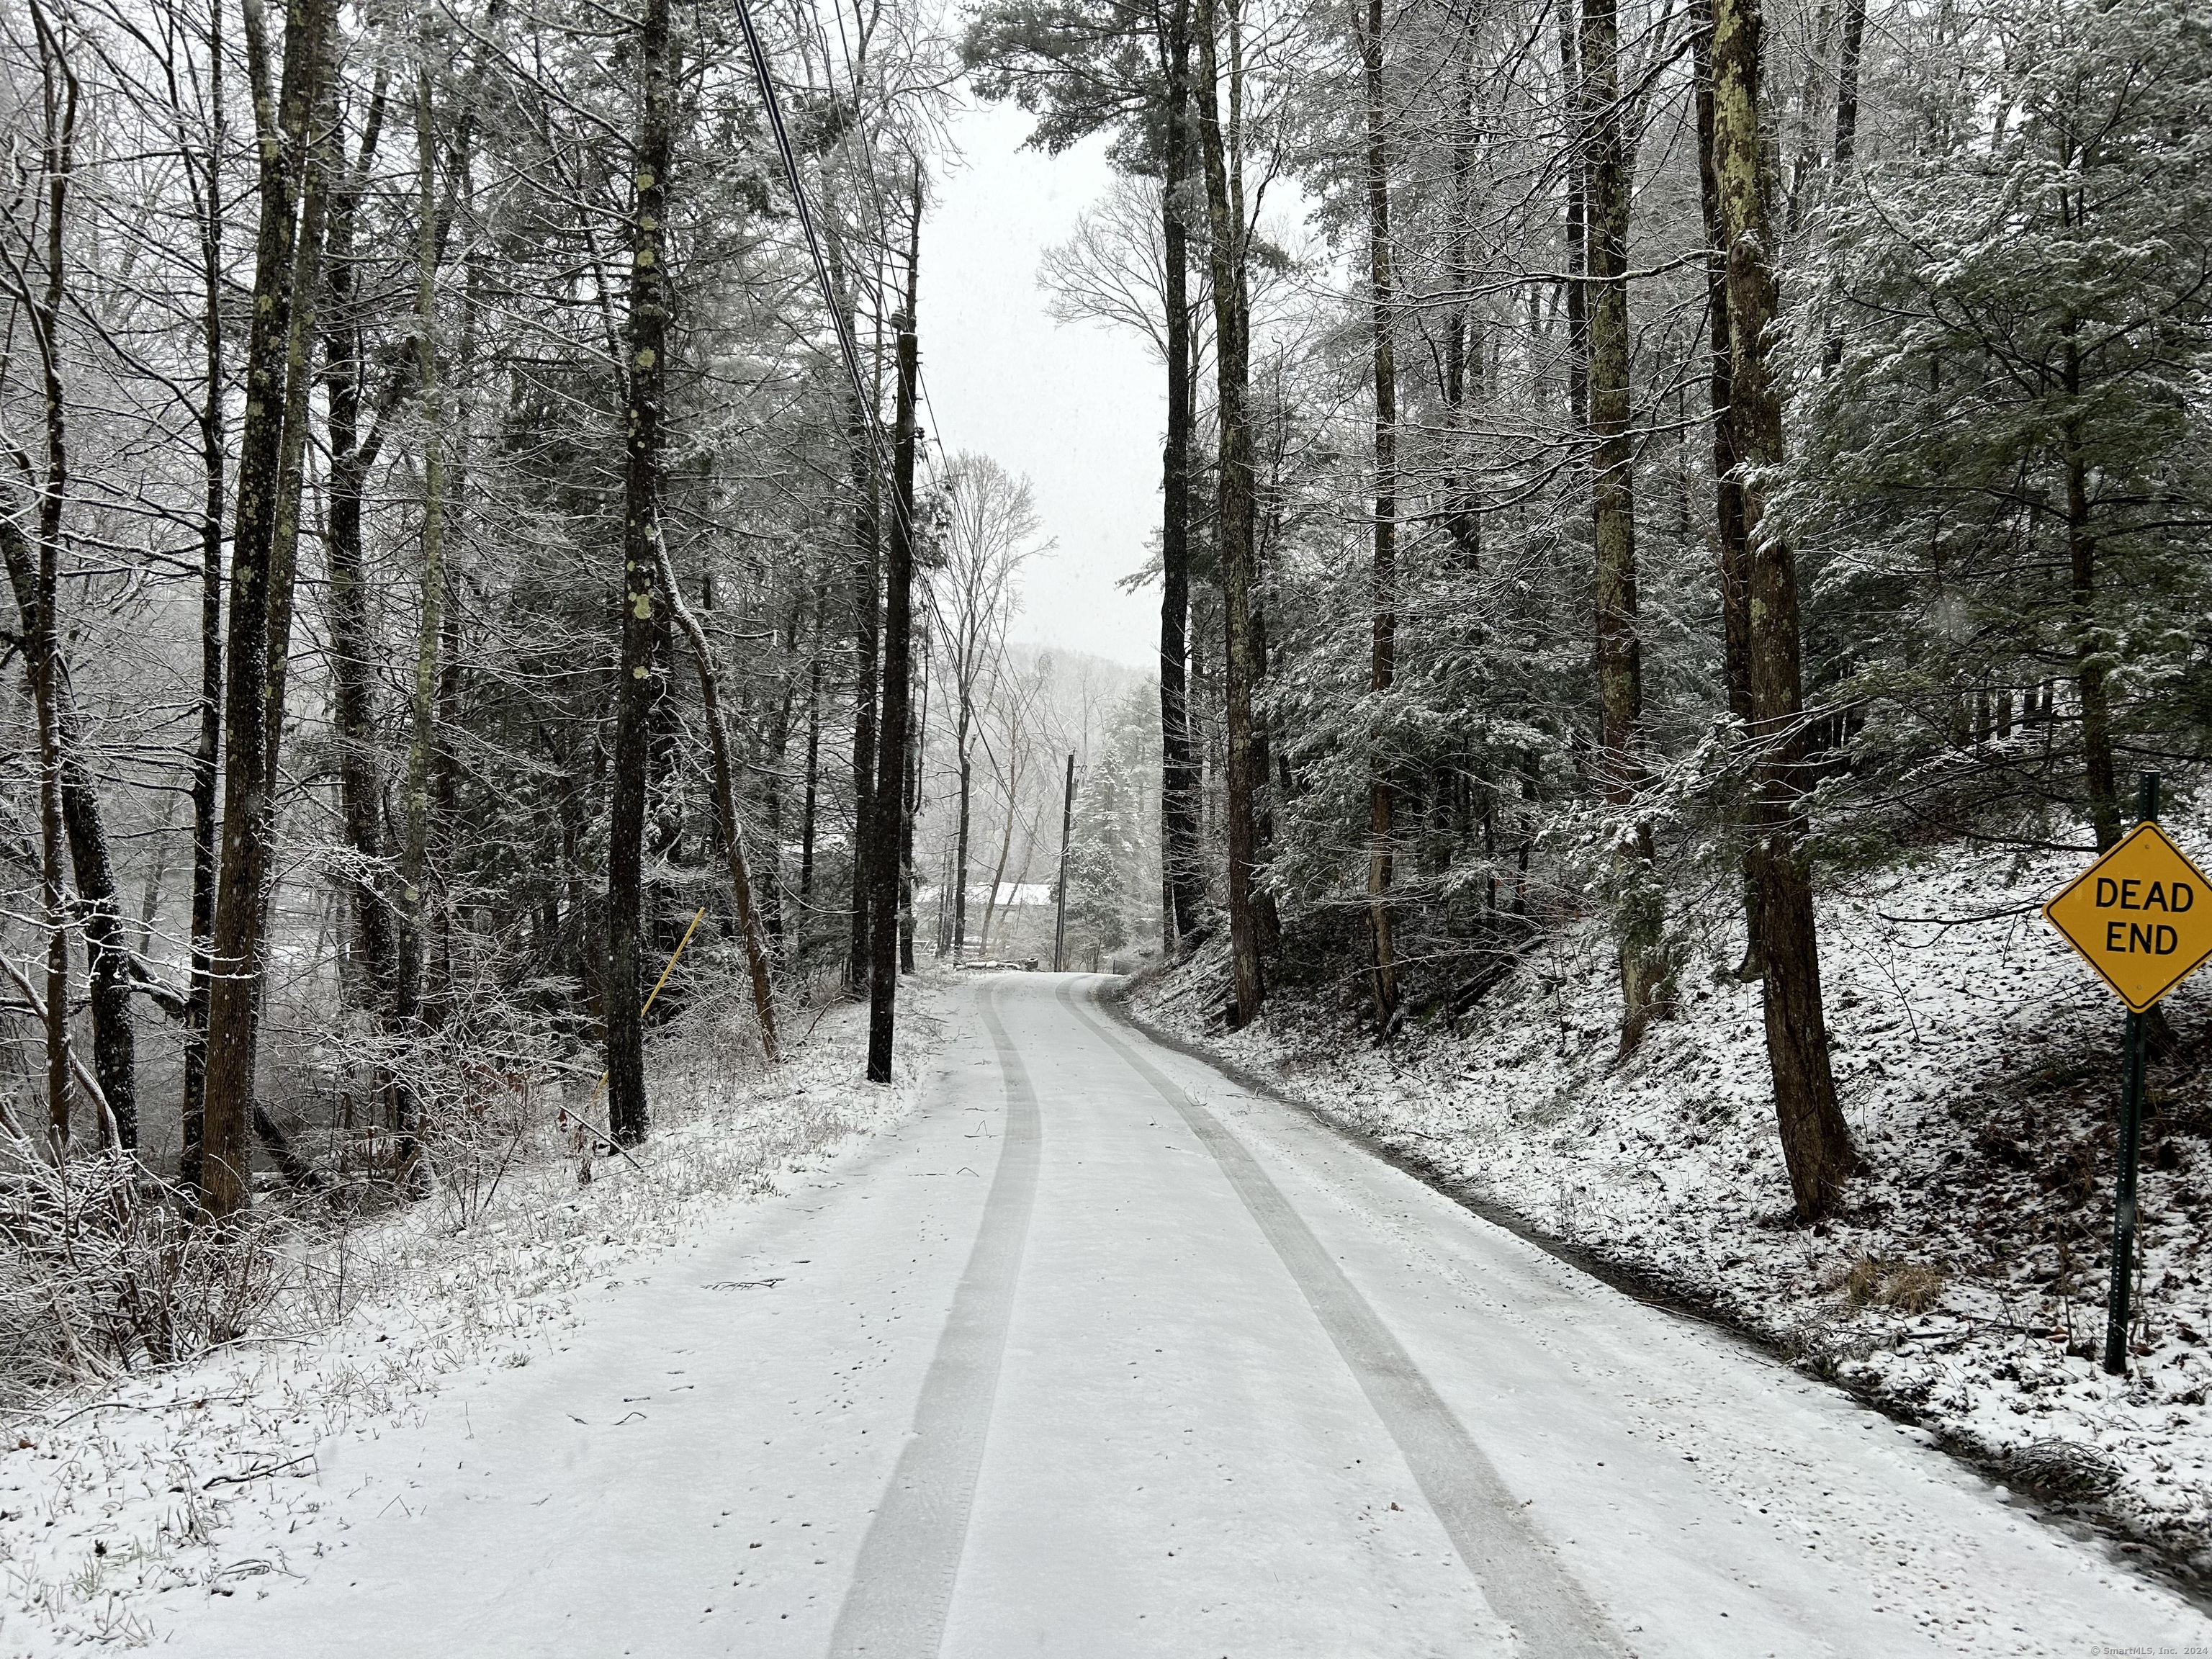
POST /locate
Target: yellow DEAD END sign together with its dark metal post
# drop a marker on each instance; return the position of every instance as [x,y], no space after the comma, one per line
[2142,917]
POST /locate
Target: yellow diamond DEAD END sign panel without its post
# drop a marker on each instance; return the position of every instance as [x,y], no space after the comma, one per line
[2142,917]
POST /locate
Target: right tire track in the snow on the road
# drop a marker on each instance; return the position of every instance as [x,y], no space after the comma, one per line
[1521,1578]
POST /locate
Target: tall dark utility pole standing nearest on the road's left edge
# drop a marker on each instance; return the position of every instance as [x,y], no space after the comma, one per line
[890,800]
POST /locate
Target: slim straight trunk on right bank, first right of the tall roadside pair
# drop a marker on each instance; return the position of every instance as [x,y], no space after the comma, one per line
[1384,578]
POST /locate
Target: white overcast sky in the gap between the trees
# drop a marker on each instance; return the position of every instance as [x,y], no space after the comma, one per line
[1074,406]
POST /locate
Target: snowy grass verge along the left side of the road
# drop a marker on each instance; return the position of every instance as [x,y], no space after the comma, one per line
[116,1499]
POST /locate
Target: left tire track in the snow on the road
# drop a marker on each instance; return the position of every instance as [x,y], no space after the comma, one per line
[904,1583]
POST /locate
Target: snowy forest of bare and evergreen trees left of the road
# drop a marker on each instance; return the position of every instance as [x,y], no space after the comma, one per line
[463,497]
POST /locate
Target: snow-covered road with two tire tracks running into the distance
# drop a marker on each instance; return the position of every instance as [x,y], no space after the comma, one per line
[1100,1355]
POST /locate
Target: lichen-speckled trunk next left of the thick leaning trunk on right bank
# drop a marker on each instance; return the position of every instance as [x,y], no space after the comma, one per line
[1614,510]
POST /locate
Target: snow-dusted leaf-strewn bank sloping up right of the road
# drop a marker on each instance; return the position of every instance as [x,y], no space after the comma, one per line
[1965,1282]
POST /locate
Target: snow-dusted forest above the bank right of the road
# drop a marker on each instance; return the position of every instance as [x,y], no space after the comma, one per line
[1629,463]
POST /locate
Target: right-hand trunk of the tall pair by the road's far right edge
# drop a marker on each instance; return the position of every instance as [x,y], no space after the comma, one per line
[1227,255]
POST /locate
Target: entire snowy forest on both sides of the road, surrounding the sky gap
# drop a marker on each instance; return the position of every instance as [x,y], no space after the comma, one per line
[470,508]
